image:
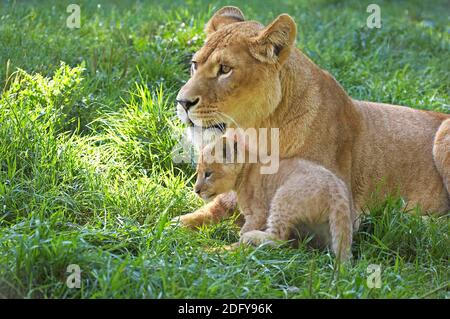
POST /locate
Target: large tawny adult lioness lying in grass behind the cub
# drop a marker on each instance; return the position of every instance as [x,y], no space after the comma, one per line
[247,75]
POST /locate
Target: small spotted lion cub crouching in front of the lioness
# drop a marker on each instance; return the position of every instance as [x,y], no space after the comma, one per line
[301,199]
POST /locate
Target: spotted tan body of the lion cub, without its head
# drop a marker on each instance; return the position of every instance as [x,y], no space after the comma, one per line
[301,199]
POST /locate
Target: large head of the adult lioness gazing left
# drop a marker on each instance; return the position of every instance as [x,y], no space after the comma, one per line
[235,76]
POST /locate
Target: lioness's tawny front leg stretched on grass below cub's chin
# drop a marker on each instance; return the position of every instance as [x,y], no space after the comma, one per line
[220,208]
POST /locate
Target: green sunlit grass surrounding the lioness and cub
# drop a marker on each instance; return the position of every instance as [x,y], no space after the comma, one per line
[87,178]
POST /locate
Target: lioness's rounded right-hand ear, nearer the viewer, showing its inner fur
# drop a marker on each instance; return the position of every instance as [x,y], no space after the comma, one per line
[274,43]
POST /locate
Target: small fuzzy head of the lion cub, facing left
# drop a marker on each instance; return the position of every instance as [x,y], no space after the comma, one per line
[218,168]
